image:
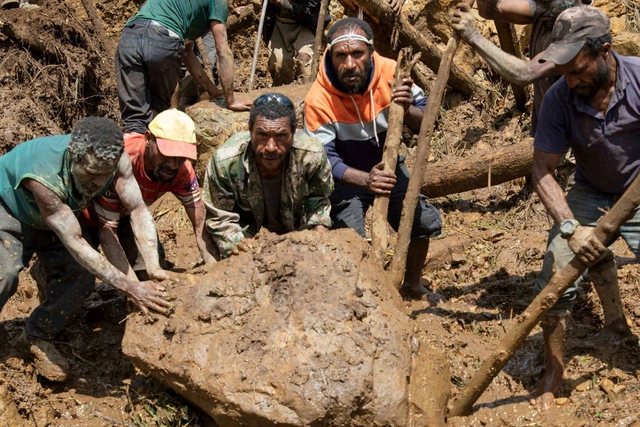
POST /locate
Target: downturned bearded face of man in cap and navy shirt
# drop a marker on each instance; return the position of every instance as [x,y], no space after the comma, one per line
[586,74]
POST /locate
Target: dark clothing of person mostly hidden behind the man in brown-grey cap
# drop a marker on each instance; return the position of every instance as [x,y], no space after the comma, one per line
[539,41]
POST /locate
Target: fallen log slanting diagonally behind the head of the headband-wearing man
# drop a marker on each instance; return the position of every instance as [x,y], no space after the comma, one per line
[380,11]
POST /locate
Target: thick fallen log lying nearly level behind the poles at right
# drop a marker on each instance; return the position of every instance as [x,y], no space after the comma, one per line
[481,171]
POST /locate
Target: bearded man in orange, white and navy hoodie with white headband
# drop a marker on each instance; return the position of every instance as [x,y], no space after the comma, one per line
[347,108]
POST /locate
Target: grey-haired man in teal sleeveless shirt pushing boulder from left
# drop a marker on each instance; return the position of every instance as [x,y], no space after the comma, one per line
[44,184]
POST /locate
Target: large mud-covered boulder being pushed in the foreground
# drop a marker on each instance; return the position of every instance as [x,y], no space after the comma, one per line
[302,331]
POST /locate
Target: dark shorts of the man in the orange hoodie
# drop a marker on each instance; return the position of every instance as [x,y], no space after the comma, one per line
[349,205]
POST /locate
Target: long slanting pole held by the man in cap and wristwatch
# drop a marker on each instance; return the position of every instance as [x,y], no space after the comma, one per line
[523,325]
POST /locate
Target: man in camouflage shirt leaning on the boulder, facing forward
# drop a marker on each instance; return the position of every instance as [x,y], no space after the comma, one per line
[270,176]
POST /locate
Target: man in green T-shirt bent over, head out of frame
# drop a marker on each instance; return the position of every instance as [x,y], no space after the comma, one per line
[152,47]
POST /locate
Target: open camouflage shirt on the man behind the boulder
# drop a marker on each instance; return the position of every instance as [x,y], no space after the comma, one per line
[233,196]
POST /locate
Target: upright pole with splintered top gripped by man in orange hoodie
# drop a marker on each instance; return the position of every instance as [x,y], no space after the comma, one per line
[390,155]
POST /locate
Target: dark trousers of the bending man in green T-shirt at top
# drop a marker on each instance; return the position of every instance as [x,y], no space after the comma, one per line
[148,61]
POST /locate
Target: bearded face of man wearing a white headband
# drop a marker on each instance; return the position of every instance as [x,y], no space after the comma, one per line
[351,61]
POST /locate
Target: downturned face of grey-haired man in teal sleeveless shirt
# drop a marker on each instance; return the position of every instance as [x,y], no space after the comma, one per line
[90,175]
